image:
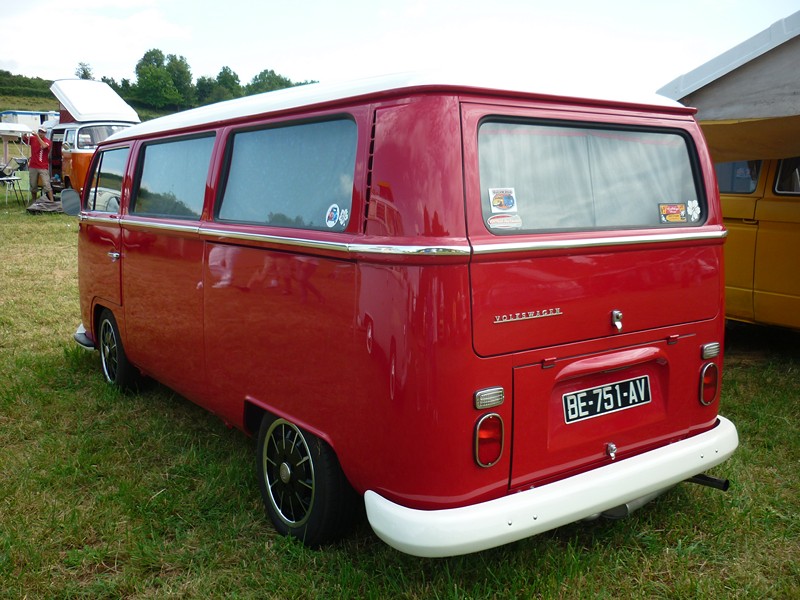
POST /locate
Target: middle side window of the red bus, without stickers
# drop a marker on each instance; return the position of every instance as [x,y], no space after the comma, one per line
[172,178]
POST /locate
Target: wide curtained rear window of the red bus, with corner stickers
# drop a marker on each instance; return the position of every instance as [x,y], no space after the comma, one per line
[539,177]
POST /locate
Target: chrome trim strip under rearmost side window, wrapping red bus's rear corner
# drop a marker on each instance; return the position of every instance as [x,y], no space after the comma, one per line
[343,247]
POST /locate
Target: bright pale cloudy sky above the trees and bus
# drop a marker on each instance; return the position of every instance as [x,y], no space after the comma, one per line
[630,45]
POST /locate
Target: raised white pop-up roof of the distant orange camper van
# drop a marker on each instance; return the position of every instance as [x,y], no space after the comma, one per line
[89,100]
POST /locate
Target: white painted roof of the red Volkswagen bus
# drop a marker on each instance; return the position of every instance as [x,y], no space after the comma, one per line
[318,93]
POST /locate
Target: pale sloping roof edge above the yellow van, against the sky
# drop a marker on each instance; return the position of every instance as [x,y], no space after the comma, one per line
[761,43]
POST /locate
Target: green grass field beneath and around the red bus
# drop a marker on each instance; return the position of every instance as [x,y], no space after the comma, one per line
[108,495]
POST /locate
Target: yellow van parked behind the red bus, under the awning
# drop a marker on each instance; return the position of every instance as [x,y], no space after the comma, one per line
[761,210]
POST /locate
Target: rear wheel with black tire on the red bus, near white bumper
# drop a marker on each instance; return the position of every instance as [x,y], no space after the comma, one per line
[306,495]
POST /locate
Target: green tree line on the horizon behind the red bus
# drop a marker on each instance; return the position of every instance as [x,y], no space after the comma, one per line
[163,83]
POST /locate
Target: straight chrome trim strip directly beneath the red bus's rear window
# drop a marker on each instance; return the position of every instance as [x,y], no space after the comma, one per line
[494,248]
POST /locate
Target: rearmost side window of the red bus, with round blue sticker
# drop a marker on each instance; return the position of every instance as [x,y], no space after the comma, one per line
[292,176]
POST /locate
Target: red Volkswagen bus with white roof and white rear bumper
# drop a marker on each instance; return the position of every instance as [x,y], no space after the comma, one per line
[483,312]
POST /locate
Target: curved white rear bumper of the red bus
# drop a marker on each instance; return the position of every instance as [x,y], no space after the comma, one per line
[449,532]
